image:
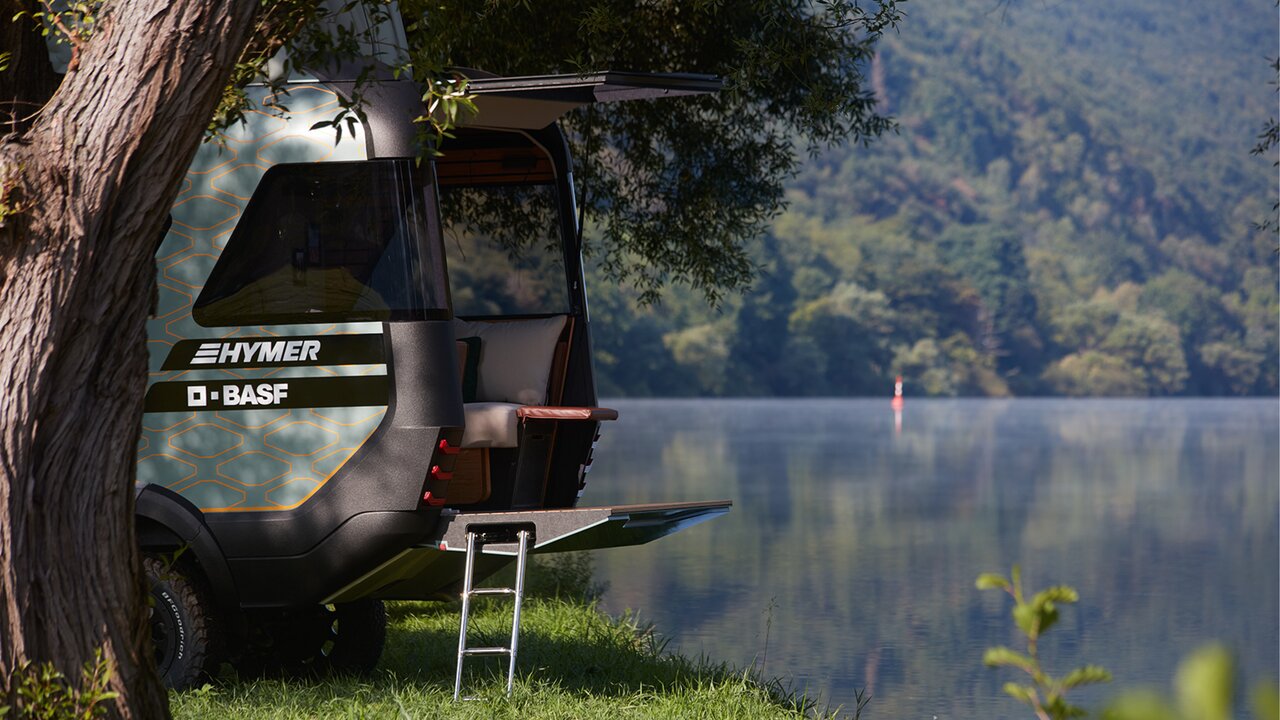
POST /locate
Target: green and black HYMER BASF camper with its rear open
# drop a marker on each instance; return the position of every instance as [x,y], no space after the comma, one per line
[356,372]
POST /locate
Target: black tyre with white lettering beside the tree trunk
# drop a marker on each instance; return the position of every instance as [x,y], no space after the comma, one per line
[181,625]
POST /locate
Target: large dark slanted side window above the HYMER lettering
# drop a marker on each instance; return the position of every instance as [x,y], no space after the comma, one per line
[331,243]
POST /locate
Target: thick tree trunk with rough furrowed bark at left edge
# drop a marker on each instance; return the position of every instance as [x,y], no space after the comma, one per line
[98,171]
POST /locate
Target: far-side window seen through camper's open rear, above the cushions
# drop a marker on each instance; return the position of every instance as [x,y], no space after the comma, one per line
[504,248]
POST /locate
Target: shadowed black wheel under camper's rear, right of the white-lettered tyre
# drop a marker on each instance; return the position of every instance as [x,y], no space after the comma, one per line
[322,640]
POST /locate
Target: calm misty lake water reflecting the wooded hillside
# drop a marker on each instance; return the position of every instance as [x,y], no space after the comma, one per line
[851,555]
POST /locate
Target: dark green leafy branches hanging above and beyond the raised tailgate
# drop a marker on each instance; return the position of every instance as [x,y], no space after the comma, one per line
[675,189]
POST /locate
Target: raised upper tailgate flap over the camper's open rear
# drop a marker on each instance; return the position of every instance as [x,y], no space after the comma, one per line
[537,102]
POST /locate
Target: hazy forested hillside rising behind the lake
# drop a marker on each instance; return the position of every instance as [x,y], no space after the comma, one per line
[1069,207]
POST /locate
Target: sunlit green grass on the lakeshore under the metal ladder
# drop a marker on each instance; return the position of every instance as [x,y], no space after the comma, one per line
[574,663]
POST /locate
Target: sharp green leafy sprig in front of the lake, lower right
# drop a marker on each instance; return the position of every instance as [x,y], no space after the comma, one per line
[1035,617]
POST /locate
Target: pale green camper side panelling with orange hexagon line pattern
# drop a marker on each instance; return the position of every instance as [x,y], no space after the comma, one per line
[245,461]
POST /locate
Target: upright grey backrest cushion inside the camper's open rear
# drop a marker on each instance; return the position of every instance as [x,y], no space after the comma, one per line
[515,358]
